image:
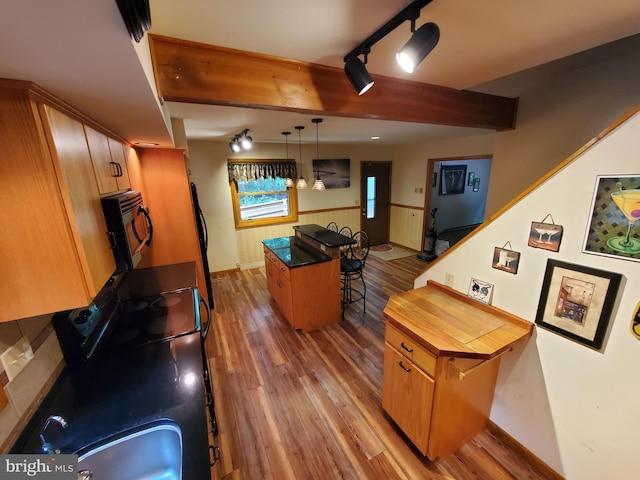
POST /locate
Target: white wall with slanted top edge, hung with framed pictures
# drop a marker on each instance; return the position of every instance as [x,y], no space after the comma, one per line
[571,406]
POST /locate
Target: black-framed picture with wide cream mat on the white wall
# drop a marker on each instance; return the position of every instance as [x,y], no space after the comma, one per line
[576,301]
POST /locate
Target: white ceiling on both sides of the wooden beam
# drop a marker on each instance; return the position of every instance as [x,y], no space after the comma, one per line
[81,52]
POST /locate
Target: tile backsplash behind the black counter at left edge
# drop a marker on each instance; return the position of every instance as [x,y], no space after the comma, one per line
[26,391]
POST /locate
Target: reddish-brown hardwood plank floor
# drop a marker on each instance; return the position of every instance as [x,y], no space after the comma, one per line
[308,406]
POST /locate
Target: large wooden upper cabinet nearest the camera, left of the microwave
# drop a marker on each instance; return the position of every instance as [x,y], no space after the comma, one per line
[54,249]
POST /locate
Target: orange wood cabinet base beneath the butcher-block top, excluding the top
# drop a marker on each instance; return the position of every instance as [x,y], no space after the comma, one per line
[436,404]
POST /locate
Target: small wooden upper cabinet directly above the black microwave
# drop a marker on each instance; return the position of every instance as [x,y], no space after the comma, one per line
[109,162]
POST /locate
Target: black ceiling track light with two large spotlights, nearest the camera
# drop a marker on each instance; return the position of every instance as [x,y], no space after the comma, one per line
[415,50]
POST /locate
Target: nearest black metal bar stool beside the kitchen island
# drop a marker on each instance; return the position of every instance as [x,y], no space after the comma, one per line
[351,268]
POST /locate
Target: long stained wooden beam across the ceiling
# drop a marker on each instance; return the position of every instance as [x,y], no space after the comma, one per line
[191,72]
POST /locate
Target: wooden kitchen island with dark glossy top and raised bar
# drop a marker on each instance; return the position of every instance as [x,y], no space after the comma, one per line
[303,275]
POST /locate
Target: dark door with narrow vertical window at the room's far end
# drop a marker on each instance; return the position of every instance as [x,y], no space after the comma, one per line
[375,200]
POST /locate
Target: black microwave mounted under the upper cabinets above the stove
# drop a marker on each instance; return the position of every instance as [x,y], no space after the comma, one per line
[129,227]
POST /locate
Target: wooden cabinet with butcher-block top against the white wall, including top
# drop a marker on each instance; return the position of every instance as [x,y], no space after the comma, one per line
[441,358]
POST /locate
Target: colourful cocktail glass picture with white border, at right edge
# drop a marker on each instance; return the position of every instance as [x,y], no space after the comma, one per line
[614,226]
